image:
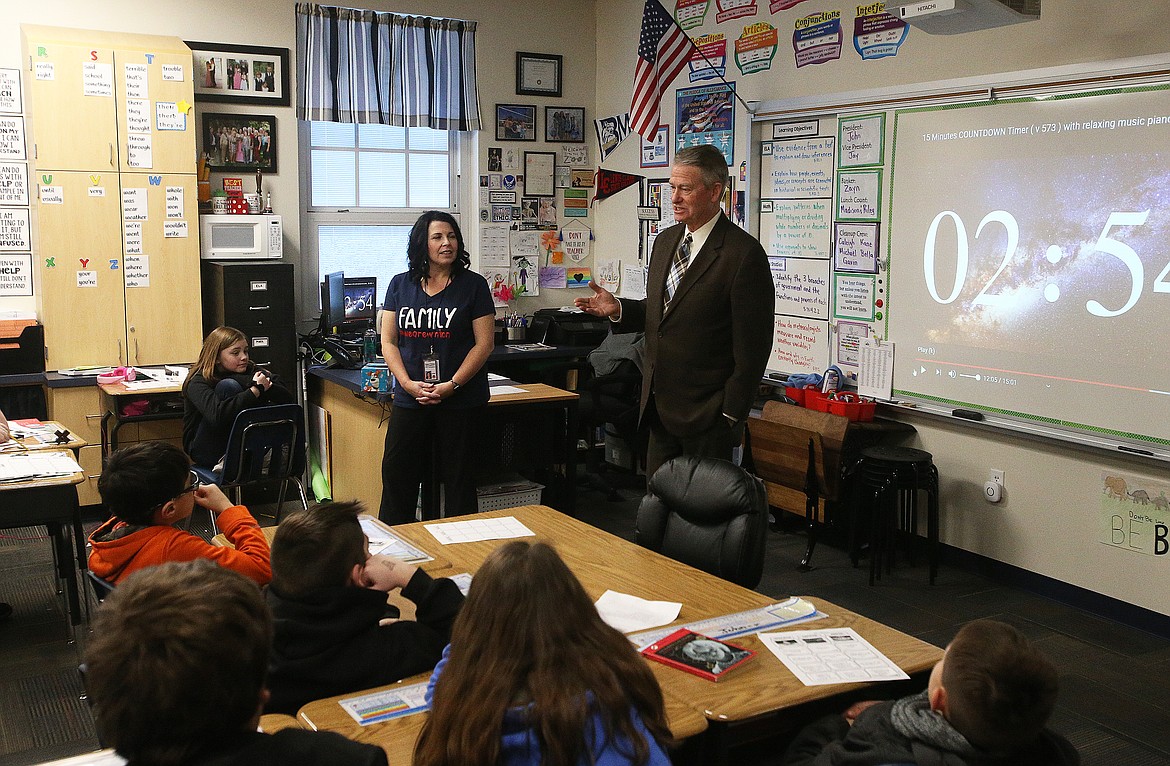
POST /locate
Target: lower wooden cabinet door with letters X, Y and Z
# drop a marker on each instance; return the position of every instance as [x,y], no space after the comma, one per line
[79,259]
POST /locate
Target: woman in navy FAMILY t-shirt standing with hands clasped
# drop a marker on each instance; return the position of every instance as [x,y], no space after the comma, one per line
[437,333]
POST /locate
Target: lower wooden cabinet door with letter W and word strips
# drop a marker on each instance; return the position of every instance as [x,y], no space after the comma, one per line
[164,312]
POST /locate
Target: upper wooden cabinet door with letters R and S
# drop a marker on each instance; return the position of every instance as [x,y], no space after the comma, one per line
[73,107]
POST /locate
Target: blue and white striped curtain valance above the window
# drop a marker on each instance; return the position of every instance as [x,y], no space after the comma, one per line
[384,68]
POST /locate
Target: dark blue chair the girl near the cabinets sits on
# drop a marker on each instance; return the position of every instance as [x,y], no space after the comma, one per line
[266,445]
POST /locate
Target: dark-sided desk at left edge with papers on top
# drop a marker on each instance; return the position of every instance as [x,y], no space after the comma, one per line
[52,502]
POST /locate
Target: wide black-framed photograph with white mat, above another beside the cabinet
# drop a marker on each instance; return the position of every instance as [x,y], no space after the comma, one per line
[240,74]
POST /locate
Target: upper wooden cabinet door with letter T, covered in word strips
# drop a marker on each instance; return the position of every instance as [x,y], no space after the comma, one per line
[156,111]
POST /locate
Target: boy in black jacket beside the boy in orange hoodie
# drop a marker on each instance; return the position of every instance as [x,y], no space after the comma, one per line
[329,602]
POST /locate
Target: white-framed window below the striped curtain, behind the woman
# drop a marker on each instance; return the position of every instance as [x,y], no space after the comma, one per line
[364,188]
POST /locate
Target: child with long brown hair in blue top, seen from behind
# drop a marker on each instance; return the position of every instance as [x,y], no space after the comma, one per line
[535,678]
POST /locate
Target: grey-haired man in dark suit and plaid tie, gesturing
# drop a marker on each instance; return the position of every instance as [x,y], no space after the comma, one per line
[707,316]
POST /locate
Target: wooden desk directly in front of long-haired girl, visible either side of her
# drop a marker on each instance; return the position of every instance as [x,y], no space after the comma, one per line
[398,736]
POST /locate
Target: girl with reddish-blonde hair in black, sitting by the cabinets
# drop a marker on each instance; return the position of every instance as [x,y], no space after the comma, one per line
[222,384]
